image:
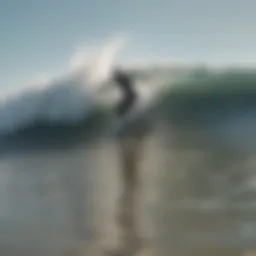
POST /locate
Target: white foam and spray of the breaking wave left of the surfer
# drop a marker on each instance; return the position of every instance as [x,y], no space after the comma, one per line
[67,99]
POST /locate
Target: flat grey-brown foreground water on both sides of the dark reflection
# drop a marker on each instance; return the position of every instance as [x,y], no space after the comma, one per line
[195,198]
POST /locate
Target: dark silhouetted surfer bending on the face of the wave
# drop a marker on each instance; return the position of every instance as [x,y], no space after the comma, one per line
[125,83]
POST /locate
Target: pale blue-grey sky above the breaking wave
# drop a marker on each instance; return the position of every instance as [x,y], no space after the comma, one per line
[39,36]
